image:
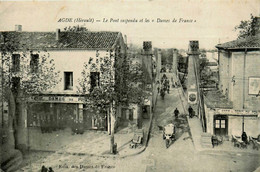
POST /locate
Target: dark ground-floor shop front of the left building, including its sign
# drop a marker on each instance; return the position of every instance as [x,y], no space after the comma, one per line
[59,112]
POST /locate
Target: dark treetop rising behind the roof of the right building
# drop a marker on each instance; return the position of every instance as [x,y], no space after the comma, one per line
[246,28]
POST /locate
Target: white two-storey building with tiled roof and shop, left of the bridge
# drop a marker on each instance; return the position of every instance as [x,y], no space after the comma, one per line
[62,105]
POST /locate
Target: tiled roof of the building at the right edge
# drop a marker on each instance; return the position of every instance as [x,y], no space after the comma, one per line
[251,42]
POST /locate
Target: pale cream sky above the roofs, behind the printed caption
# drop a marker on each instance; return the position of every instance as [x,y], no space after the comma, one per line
[215,19]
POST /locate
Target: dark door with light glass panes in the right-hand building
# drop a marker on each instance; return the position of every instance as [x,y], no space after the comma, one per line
[220,125]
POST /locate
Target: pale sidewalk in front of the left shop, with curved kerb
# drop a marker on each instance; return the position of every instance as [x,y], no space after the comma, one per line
[92,143]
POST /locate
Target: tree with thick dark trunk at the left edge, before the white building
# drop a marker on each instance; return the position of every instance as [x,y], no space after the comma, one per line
[25,73]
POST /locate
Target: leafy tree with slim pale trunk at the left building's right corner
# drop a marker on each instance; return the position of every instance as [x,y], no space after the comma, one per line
[118,82]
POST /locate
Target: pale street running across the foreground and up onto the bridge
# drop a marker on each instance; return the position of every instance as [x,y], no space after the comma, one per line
[180,156]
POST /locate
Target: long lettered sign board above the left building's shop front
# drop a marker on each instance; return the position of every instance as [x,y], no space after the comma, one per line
[57,99]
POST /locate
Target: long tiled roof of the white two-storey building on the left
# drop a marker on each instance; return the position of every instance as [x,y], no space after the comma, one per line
[67,40]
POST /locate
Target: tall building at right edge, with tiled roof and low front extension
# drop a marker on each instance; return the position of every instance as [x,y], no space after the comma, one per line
[239,83]
